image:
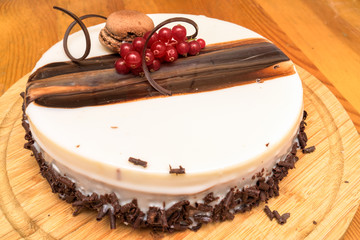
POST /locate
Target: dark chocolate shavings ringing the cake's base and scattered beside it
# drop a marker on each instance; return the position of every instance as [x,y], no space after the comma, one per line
[178,217]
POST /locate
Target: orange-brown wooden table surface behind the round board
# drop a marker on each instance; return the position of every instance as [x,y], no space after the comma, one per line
[321,36]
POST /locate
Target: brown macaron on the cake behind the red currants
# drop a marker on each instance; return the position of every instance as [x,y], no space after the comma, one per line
[124,26]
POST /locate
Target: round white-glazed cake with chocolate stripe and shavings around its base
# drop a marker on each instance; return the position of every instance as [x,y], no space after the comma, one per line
[204,154]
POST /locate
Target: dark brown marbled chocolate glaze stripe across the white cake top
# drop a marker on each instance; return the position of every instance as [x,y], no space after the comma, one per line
[95,81]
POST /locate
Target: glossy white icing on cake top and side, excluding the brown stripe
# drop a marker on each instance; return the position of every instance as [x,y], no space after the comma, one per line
[219,137]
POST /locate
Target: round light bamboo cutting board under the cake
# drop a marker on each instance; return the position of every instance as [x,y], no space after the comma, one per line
[324,186]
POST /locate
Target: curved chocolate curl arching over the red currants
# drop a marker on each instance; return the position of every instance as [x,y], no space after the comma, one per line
[145,69]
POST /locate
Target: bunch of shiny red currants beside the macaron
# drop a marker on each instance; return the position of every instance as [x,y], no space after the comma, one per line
[164,46]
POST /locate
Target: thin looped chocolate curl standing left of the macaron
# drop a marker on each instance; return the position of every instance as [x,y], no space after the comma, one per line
[79,21]
